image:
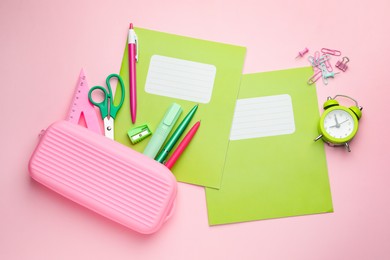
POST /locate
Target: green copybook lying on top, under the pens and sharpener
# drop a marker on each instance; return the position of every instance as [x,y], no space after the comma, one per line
[186,71]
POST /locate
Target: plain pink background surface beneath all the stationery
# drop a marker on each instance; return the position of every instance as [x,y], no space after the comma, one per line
[44,44]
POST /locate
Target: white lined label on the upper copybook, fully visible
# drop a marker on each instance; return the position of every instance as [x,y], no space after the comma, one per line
[180,79]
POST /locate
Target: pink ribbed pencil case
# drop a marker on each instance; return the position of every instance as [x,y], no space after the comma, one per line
[104,176]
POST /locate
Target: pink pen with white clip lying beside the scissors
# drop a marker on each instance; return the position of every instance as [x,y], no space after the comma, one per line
[133,58]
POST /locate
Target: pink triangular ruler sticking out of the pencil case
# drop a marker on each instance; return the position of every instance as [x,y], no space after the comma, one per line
[81,105]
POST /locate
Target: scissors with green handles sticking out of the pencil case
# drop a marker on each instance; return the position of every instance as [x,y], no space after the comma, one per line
[108,114]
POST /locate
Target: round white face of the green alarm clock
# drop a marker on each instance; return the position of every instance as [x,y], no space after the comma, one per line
[339,124]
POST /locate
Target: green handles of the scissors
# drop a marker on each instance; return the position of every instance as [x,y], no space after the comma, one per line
[103,106]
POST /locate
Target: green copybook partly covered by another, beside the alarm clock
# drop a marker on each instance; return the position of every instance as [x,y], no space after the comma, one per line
[273,167]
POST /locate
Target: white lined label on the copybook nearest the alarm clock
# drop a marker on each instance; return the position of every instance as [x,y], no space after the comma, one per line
[263,116]
